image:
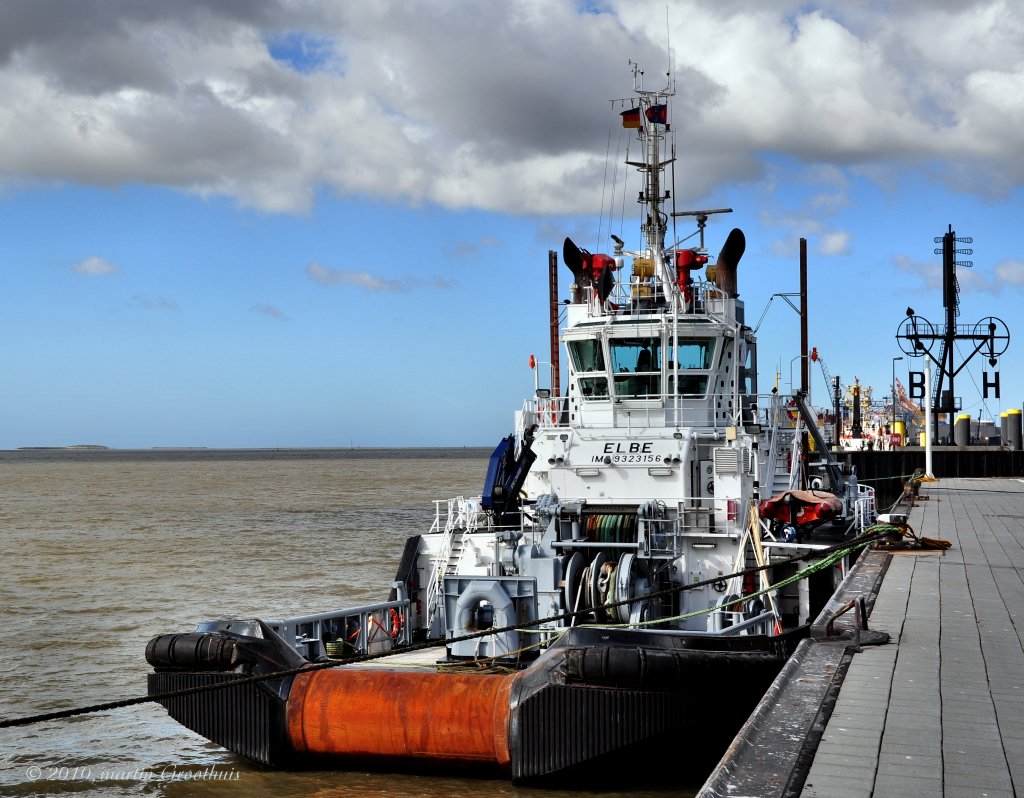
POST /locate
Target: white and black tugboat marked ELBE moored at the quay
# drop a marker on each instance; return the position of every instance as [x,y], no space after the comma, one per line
[613,592]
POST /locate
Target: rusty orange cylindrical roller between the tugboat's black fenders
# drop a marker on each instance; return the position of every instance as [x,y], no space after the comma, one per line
[382,715]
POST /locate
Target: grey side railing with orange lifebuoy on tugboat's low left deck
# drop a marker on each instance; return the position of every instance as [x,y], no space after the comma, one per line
[345,634]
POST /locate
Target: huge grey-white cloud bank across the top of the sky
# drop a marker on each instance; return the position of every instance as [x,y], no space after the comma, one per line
[499,106]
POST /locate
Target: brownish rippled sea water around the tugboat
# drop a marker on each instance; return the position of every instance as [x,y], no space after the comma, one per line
[104,550]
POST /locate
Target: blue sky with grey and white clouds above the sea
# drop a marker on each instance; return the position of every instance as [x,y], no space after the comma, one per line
[284,224]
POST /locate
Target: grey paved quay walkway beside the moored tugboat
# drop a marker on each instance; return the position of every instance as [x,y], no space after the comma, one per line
[940,709]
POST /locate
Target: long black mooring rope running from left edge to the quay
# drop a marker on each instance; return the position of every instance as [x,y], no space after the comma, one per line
[871,535]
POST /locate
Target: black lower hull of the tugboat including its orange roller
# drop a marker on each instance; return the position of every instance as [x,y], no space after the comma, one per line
[590,700]
